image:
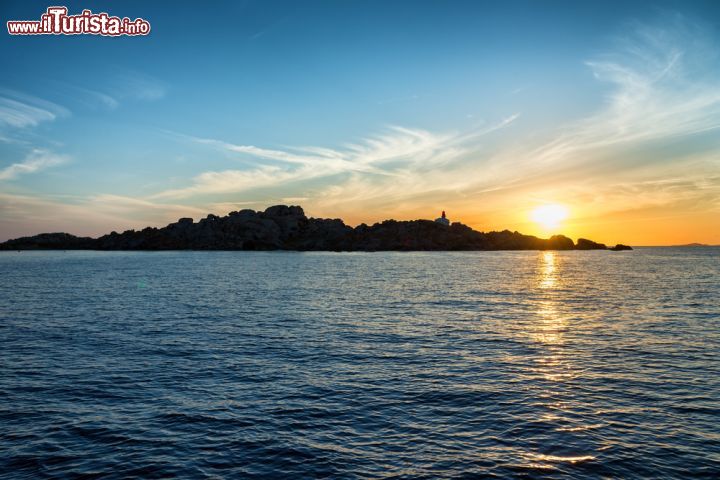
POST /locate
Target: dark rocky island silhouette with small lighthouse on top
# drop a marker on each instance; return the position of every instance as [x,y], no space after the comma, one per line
[284,227]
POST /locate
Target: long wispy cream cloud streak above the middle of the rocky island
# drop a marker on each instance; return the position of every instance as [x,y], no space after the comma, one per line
[394,154]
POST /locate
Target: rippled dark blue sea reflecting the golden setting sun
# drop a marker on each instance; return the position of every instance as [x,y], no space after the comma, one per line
[360,365]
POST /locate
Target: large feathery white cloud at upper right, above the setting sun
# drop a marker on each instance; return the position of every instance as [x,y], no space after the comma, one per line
[663,86]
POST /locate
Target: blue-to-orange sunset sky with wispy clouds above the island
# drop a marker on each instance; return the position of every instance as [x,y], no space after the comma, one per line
[368,110]
